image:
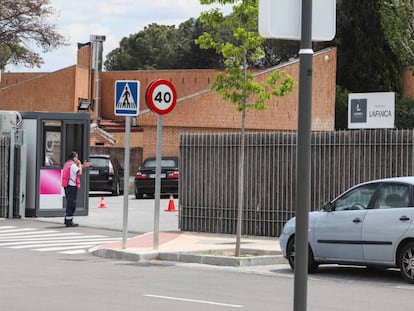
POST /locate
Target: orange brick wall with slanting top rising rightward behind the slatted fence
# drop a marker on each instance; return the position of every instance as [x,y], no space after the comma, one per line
[208,112]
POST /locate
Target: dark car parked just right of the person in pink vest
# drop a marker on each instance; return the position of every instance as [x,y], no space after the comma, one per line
[106,174]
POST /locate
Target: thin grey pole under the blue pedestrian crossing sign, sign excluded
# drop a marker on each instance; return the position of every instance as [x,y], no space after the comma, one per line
[126,180]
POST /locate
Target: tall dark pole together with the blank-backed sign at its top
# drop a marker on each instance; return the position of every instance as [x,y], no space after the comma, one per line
[294,20]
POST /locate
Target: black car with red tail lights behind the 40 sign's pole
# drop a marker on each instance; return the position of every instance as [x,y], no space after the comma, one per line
[145,177]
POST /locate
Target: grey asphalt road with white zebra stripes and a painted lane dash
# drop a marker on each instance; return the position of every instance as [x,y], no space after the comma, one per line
[65,280]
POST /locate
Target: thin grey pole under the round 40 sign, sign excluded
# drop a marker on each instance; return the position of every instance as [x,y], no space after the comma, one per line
[157,184]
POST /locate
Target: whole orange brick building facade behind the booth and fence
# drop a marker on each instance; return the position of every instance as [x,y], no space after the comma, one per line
[198,109]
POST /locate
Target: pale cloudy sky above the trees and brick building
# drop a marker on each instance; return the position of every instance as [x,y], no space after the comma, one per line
[76,20]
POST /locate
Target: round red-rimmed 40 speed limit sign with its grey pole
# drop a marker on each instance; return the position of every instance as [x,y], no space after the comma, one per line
[161,98]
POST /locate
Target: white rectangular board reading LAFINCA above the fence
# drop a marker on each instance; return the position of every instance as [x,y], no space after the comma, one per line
[371,110]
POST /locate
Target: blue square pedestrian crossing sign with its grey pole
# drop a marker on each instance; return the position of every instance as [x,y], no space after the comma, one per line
[126,104]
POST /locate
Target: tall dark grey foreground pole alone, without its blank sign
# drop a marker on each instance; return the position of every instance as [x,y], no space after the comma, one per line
[303,158]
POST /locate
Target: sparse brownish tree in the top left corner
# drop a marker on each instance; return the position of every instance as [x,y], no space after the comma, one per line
[22,22]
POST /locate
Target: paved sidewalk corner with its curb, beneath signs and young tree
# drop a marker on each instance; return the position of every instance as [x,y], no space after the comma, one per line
[190,247]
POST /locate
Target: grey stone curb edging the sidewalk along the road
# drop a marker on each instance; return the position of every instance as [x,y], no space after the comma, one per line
[259,259]
